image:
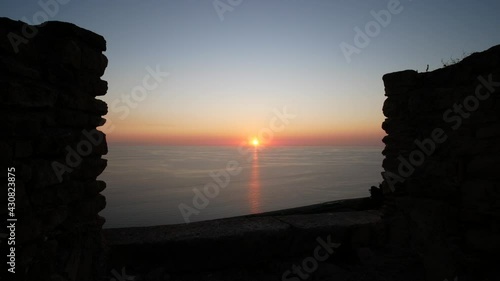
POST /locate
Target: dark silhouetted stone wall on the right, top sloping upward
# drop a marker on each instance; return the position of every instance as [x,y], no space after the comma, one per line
[442,165]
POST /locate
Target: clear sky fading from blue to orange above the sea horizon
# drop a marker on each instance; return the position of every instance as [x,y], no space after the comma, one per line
[226,77]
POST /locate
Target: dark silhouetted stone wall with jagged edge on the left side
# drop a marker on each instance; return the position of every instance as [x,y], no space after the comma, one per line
[50,77]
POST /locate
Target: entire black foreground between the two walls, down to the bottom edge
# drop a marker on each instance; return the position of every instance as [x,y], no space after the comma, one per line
[325,246]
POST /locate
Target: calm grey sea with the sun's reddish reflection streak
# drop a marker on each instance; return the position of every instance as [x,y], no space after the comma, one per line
[146,184]
